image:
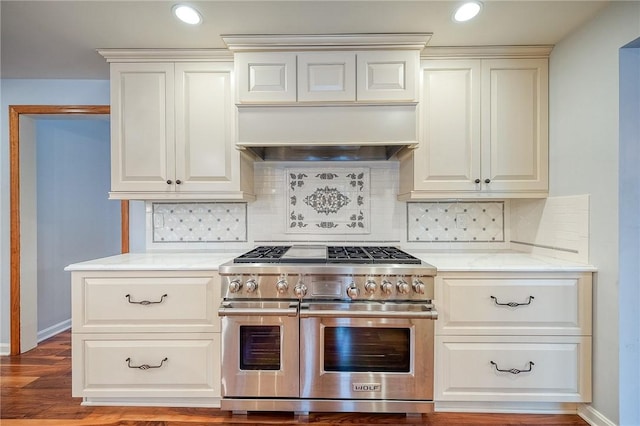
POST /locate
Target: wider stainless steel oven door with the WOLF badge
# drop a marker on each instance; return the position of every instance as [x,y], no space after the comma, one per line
[367,351]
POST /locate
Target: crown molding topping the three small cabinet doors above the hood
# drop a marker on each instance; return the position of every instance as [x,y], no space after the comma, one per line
[271,42]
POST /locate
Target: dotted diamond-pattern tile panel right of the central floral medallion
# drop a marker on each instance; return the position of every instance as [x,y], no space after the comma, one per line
[451,222]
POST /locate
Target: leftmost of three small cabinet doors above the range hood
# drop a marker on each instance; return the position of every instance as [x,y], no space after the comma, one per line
[266,77]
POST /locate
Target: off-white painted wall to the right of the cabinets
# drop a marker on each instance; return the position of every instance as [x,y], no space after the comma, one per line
[583,136]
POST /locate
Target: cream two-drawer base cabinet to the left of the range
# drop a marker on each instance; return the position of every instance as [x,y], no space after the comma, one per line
[152,337]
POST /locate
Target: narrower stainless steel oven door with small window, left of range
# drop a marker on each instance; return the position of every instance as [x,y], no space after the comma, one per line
[260,349]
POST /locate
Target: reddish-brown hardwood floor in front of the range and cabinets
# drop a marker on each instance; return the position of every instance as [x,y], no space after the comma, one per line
[36,390]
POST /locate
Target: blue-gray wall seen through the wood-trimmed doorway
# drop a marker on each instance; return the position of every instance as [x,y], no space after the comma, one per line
[76,221]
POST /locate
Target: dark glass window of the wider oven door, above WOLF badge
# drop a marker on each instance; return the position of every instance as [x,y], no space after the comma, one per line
[360,349]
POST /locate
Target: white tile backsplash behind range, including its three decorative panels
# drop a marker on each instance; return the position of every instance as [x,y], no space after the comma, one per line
[327,202]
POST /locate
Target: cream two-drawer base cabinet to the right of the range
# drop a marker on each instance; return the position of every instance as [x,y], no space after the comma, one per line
[513,336]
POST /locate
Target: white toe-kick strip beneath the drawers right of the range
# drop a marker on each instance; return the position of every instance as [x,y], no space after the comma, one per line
[507,407]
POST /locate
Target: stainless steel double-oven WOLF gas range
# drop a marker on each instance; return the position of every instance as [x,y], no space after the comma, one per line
[317,328]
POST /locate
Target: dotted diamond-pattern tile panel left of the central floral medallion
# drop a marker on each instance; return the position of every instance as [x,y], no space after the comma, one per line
[199,222]
